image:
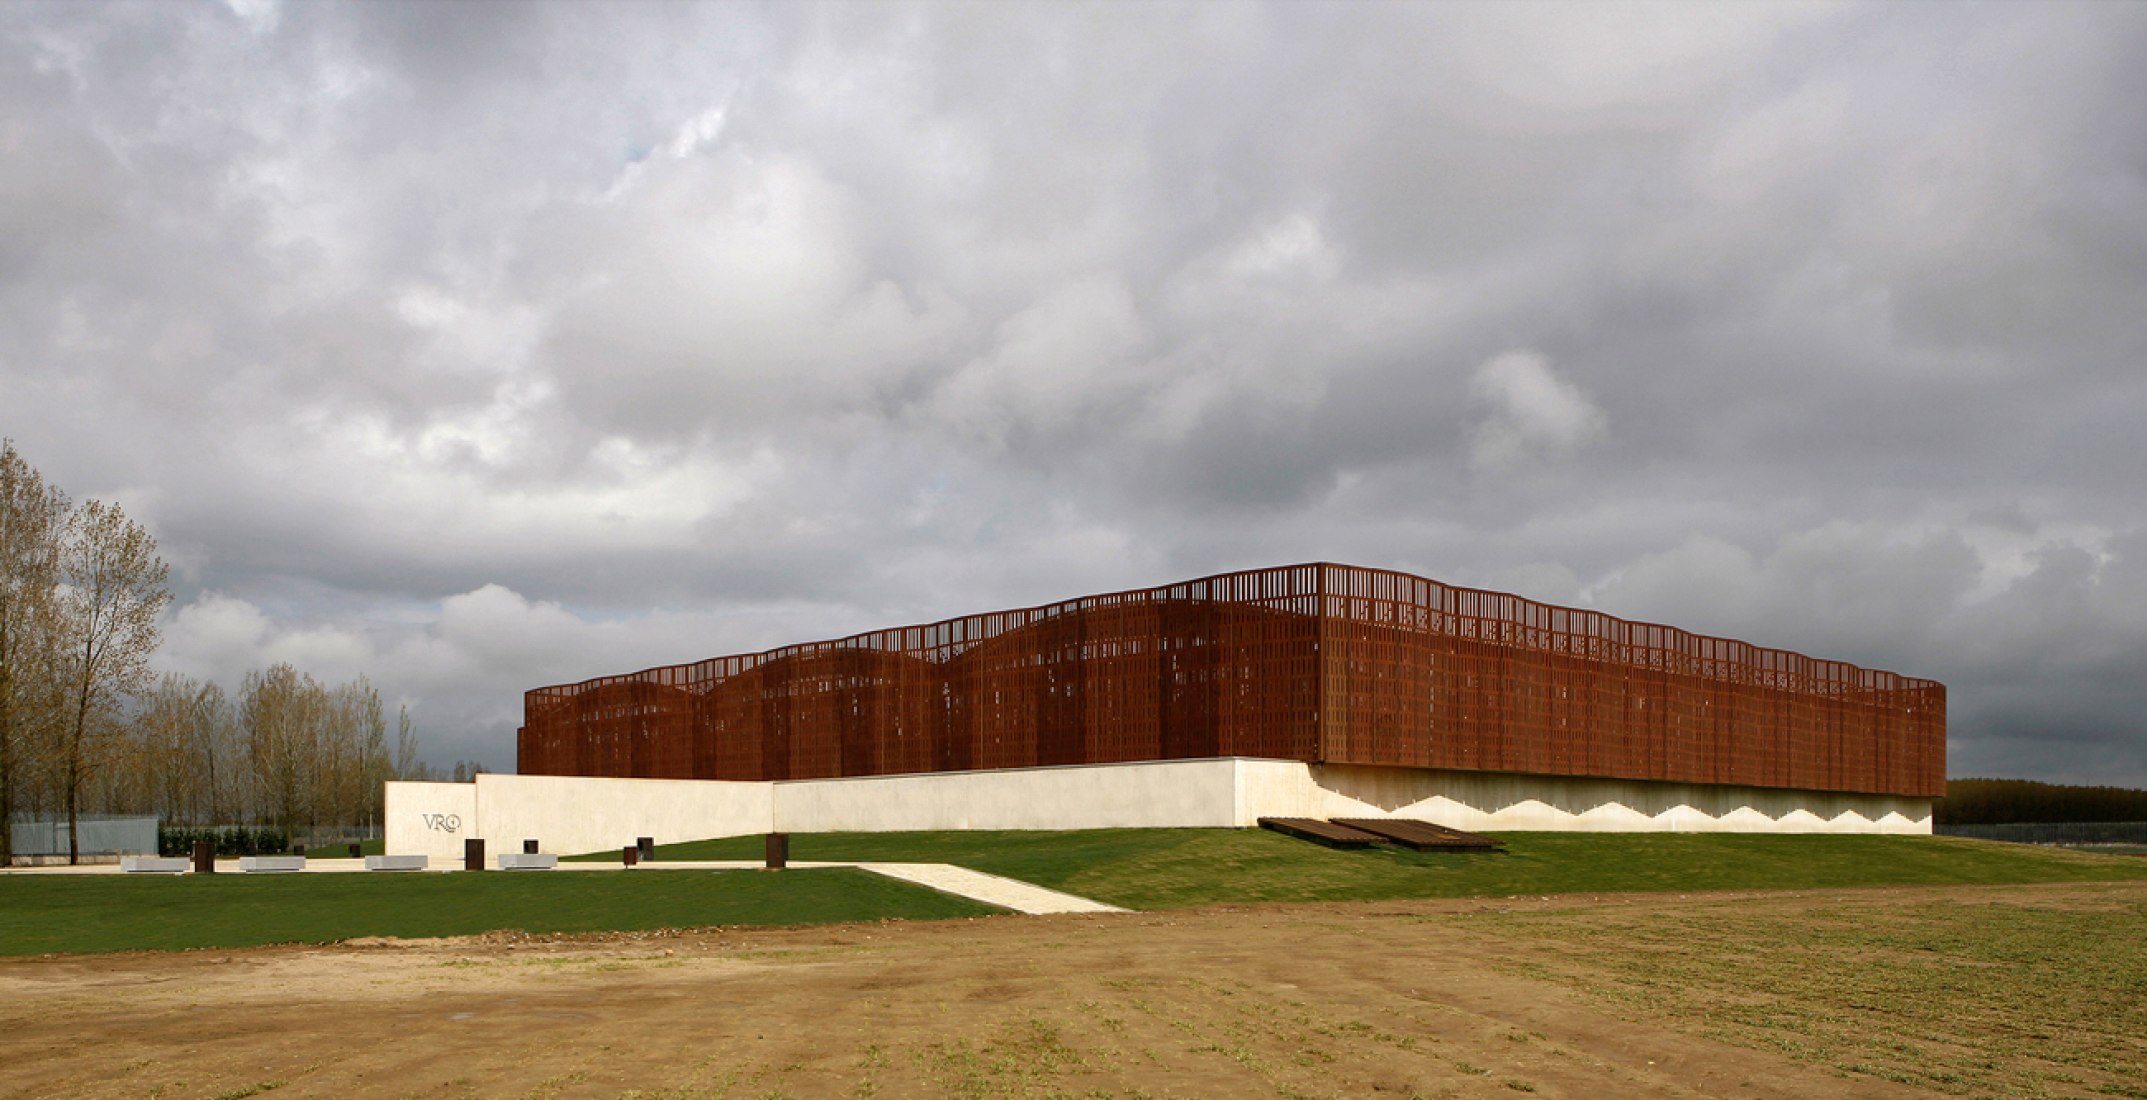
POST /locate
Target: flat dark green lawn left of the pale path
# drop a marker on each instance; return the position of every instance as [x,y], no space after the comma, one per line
[113,912]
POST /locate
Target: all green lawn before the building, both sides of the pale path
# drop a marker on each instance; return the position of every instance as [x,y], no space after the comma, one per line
[1139,869]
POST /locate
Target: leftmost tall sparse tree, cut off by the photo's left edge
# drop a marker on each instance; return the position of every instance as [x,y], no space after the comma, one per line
[31,525]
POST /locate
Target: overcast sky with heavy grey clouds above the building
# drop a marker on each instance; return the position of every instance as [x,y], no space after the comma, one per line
[480,347]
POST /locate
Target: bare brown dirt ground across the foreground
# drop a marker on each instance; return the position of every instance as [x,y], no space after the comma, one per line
[1317,1000]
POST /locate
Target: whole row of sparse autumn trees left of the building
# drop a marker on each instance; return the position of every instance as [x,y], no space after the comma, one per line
[87,727]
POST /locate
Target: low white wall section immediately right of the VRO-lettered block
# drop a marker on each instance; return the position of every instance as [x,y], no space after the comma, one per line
[572,815]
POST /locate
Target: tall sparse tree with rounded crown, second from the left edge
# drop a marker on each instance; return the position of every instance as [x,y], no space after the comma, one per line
[108,603]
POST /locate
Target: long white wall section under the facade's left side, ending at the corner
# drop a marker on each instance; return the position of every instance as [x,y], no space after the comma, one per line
[1163,794]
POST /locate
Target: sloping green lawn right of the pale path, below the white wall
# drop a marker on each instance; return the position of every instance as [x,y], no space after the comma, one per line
[1158,869]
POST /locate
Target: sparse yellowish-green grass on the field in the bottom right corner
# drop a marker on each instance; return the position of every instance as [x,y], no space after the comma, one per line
[1989,998]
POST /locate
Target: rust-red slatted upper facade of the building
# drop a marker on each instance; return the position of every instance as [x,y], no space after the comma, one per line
[1304,663]
